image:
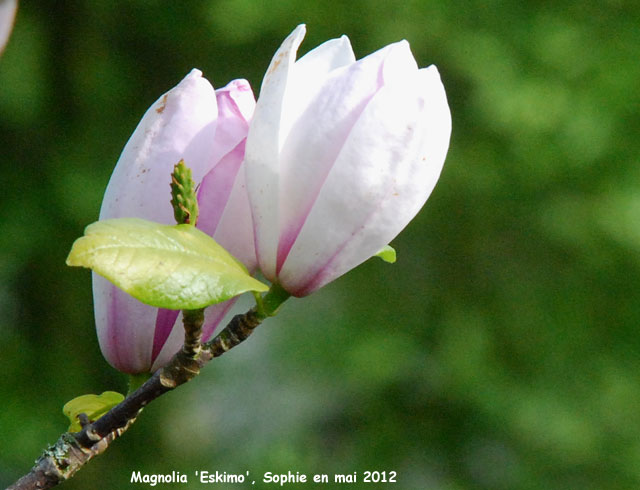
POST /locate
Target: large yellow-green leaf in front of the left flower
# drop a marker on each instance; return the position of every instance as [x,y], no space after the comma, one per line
[175,267]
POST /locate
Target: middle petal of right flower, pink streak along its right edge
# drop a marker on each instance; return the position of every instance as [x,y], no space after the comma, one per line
[320,133]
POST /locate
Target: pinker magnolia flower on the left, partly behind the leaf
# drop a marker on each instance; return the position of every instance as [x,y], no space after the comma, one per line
[207,129]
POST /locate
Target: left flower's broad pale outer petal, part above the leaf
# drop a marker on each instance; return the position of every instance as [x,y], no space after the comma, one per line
[180,125]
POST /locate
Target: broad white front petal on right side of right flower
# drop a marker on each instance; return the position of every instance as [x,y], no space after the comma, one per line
[382,177]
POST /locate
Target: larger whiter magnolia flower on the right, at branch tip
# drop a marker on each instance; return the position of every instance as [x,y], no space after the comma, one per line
[341,155]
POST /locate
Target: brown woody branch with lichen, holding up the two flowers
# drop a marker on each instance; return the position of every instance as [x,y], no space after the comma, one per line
[72,451]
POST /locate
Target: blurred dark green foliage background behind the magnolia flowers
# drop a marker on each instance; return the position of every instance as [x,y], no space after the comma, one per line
[501,351]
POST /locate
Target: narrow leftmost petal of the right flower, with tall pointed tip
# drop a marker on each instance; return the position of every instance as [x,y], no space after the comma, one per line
[263,148]
